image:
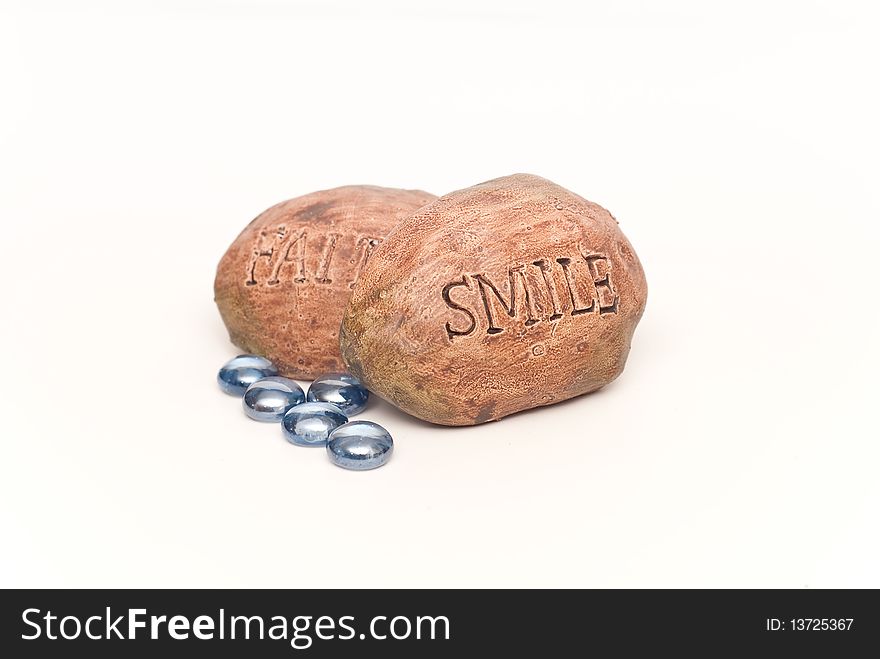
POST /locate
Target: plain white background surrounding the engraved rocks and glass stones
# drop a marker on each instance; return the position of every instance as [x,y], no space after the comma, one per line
[737,143]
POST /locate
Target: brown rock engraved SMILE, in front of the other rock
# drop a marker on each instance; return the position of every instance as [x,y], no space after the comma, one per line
[504,296]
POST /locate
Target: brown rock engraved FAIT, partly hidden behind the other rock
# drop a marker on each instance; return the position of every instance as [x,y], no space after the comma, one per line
[283,284]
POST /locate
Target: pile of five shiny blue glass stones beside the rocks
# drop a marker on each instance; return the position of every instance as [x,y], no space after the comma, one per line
[319,418]
